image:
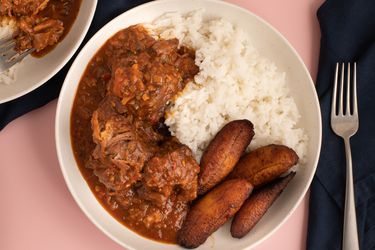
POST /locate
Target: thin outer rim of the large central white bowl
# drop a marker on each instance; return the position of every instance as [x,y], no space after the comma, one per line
[238,8]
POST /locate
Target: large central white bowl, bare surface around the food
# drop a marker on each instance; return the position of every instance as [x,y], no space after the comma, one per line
[271,44]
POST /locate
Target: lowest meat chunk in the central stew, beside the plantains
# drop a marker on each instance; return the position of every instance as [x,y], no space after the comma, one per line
[172,171]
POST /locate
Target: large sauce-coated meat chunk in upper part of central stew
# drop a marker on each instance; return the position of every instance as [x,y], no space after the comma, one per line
[146,100]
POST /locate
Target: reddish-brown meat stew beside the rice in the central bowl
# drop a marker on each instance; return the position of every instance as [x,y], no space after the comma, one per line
[117,127]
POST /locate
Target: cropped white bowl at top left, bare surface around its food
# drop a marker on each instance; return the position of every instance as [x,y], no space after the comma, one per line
[33,72]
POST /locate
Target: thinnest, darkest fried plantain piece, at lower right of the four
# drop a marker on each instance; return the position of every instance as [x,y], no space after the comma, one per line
[257,205]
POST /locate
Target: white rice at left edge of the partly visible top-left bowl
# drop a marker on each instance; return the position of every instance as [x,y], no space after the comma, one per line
[7,28]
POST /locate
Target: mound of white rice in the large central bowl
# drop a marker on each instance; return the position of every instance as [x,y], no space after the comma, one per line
[234,82]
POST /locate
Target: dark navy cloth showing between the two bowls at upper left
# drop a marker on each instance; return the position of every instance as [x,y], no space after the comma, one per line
[106,11]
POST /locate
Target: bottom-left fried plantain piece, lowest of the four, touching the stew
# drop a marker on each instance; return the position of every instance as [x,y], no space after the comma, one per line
[212,211]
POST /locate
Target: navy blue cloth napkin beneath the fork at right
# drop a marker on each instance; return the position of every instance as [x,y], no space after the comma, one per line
[348,35]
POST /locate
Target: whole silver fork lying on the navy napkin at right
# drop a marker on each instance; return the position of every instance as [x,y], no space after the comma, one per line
[345,124]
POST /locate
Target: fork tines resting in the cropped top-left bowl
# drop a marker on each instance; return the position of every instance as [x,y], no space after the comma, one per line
[8,56]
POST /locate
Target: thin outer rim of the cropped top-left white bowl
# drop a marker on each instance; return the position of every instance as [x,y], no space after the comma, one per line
[72,51]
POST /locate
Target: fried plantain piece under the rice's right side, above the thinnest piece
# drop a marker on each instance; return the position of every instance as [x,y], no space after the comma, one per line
[264,164]
